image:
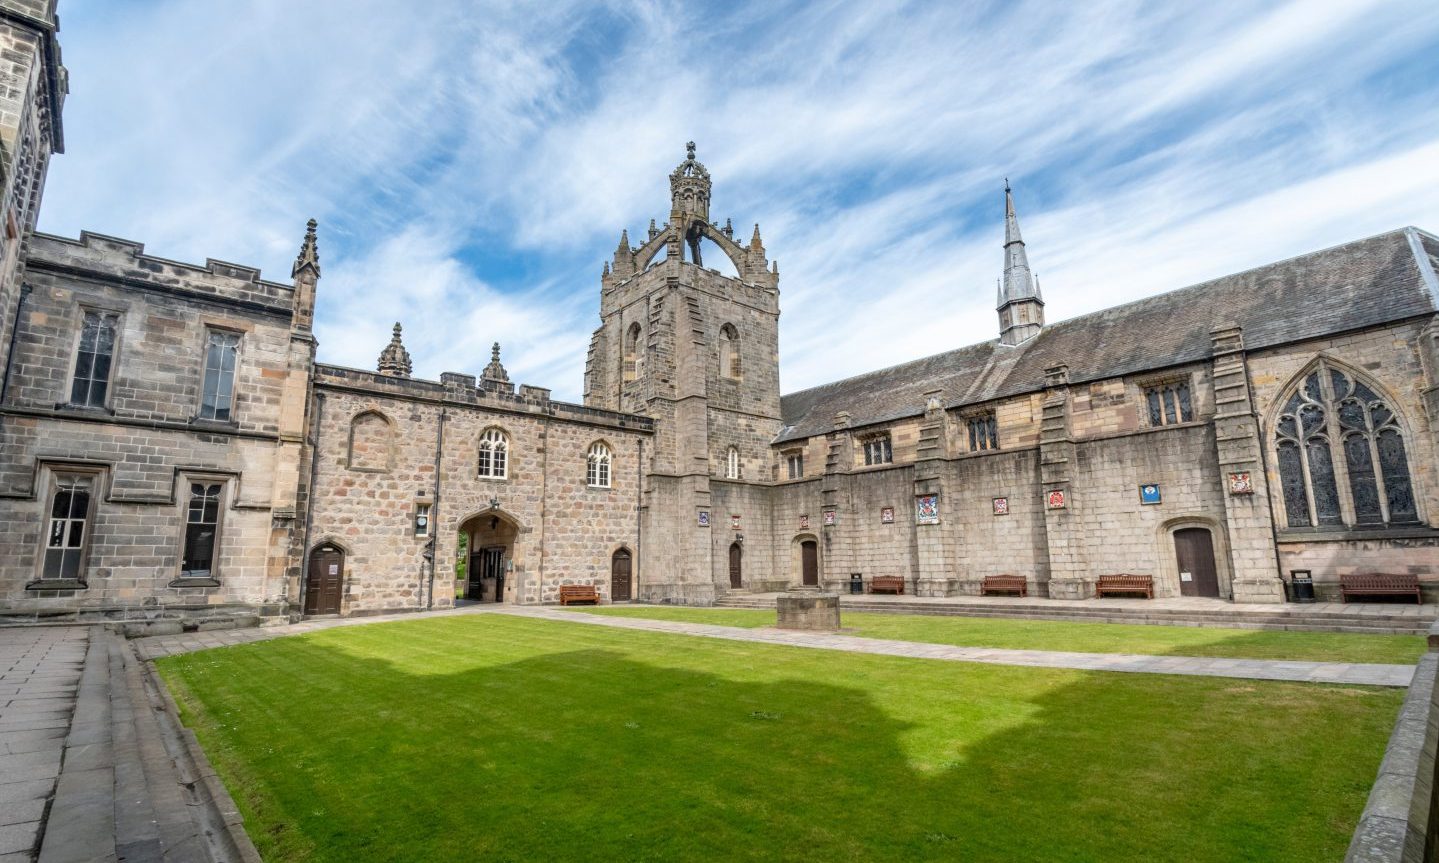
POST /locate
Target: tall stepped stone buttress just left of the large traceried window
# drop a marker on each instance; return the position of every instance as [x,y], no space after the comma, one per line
[1248,517]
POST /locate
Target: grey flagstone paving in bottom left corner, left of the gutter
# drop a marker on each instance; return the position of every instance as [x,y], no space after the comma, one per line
[40,675]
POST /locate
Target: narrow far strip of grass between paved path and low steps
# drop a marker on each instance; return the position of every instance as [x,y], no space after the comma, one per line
[1089,638]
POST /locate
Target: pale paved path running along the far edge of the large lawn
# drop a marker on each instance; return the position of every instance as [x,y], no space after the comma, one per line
[1253,670]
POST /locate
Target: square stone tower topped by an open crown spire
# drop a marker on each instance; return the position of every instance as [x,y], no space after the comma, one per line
[699,353]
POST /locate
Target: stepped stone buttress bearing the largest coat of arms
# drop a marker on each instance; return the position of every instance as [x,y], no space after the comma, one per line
[935,543]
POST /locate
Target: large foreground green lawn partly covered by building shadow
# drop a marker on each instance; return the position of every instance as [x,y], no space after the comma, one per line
[504,739]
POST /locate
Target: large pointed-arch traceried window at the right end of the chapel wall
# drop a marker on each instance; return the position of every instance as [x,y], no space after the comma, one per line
[1338,434]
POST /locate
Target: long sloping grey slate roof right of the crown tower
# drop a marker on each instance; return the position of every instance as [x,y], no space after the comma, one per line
[1362,284]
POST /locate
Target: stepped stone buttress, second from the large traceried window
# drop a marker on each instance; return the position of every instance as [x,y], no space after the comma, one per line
[1070,576]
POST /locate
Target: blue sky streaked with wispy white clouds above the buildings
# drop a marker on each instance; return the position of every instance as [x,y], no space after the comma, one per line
[473,165]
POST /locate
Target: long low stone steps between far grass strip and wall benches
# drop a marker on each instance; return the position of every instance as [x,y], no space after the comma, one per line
[1345,622]
